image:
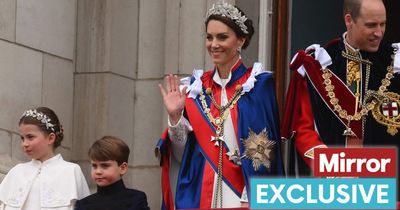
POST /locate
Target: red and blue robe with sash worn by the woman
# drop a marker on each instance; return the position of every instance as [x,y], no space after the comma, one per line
[256,110]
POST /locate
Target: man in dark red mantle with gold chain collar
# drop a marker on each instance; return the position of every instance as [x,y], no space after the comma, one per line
[346,93]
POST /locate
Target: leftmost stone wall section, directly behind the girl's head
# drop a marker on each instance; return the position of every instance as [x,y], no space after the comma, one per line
[37,45]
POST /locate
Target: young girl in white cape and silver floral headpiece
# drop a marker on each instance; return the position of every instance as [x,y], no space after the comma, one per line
[47,181]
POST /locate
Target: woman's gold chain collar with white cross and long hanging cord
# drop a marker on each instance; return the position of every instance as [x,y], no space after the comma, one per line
[219,136]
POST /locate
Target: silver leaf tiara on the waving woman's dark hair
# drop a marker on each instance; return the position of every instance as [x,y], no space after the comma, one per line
[229,11]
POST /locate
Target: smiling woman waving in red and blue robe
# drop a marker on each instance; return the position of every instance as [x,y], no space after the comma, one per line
[223,125]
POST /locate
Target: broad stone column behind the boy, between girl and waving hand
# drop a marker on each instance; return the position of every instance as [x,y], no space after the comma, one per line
[119,64]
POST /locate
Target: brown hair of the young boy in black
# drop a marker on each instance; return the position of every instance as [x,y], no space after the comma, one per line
[109,148]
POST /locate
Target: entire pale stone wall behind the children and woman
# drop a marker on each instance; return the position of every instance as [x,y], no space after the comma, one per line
[97,63]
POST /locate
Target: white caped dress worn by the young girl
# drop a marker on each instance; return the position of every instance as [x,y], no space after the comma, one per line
[53,184]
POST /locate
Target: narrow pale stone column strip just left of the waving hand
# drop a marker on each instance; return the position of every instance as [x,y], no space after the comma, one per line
[148,107]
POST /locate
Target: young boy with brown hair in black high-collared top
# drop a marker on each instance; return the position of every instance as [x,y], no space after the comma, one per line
[109,157]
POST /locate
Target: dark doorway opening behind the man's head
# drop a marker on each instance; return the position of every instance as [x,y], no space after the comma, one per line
[316,22]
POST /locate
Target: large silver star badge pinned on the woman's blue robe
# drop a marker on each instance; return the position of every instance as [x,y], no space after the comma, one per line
[258,148]
